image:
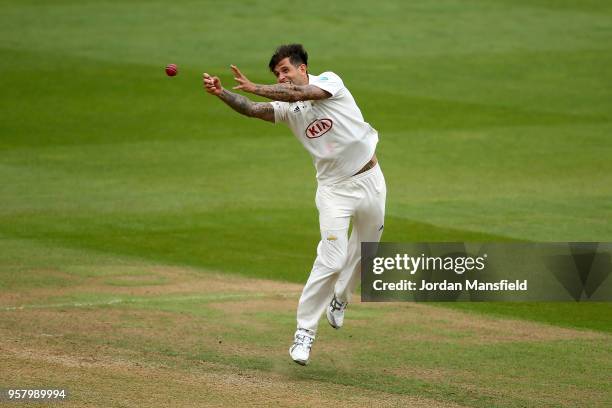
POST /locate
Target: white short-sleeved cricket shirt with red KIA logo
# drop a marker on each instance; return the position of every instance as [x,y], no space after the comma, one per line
[332,130]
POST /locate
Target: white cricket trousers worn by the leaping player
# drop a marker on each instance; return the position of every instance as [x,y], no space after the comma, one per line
[337,268]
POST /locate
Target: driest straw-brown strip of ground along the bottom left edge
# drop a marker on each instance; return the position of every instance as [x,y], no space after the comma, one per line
[108,381]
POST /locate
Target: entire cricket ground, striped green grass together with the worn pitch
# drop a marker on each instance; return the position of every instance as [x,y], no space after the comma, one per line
[139,215]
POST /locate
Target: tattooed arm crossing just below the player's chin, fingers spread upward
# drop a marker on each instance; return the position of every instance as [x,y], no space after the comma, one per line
[279,92]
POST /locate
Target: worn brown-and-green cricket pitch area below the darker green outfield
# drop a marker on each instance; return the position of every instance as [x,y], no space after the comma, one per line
[128,333]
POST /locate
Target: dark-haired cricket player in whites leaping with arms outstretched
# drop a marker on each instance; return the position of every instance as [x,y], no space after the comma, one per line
[324,117]
